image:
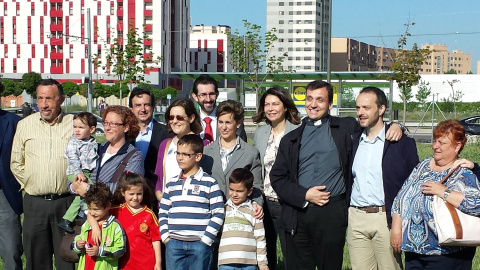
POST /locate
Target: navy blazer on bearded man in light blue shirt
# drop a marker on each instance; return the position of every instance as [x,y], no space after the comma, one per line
[398,161]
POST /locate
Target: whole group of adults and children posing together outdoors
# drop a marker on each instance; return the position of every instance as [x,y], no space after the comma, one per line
[313,184]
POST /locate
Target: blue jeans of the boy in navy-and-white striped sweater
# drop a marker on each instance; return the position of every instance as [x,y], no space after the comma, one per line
[188,255]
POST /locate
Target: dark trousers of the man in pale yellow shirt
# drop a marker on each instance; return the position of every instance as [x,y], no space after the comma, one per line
[41,234]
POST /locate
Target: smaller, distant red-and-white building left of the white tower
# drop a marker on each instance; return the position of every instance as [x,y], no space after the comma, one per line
[209,49]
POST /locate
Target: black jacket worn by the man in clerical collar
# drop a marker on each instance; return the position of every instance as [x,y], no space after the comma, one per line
[284,173]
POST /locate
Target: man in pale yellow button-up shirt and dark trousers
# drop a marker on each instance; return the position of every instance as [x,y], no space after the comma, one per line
[39,164]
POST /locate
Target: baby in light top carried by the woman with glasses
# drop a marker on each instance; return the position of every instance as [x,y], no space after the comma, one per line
[81,154]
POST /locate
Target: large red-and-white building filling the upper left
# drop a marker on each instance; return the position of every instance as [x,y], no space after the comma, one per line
[37,35]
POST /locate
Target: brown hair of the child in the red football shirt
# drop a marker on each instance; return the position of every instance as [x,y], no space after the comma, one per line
[131,179]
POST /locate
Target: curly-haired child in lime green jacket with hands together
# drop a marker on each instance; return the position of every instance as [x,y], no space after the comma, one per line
[113,241]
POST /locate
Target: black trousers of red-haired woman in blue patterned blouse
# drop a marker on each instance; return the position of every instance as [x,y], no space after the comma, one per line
[460,260]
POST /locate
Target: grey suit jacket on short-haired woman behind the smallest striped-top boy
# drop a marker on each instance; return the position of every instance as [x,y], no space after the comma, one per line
[246,157]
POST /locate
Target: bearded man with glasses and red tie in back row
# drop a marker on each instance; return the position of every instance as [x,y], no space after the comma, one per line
[205,93]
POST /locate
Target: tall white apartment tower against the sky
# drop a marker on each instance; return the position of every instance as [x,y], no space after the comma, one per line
[302,31]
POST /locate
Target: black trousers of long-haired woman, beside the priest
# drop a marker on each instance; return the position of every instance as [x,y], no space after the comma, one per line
[273,228]
